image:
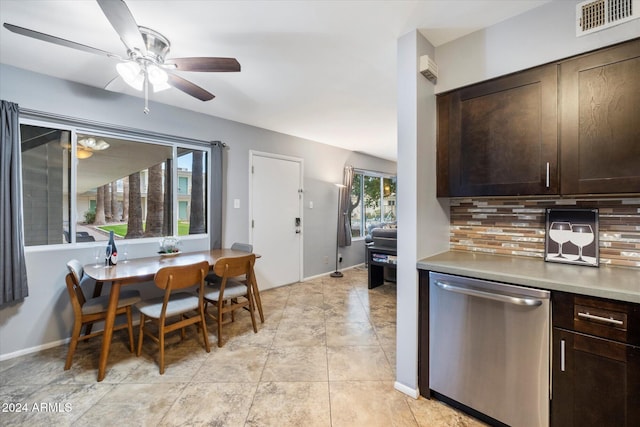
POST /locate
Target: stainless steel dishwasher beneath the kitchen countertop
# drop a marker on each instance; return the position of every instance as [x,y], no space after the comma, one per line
[489,348]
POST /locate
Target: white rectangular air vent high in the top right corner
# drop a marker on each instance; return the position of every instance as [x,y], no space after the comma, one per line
[596,15]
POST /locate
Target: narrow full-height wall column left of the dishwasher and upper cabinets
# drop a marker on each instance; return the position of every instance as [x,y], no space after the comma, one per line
[423,219]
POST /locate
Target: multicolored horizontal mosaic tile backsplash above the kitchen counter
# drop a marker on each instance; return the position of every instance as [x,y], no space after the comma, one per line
[516,227]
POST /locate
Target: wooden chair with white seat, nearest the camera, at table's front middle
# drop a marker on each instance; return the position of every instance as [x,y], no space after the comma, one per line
[187,306]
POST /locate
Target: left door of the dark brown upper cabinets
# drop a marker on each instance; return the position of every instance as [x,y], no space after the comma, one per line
[500,137]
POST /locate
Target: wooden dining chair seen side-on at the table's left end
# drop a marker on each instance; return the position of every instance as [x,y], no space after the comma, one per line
[87,311]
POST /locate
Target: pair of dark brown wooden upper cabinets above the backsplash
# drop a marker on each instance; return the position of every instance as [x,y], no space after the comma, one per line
[571,128]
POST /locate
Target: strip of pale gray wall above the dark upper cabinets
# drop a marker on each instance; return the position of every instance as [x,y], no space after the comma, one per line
[543,35]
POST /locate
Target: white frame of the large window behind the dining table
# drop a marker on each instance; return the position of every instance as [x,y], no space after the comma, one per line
[77,126]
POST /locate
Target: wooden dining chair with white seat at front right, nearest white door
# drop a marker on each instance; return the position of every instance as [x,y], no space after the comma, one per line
[233,292]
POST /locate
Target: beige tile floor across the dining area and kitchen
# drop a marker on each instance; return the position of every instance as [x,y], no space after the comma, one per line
[325,356]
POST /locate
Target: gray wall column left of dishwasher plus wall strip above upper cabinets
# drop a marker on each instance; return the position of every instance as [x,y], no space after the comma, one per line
[540,36]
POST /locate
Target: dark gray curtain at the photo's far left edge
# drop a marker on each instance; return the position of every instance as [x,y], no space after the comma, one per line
[13,270]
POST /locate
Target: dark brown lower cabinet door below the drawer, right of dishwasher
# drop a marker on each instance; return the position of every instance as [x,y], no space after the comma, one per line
[595,382]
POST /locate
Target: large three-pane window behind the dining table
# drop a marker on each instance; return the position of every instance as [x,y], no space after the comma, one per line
[118,184]
